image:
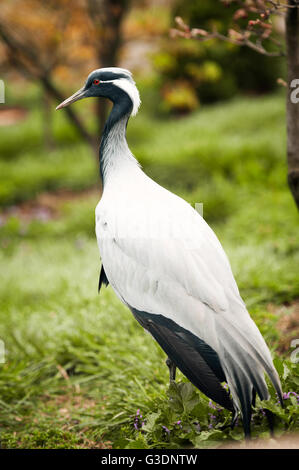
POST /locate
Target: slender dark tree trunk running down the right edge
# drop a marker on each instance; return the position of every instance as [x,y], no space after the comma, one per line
[292,40]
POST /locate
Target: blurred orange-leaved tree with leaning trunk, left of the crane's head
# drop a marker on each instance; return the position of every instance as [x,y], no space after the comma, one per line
[36,47]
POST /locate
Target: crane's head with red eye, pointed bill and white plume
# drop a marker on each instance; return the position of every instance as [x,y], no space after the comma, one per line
[113,83]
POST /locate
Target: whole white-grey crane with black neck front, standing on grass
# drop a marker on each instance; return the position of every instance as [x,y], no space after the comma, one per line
[167,266]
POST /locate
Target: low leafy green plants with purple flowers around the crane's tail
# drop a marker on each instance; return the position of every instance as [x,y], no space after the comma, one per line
[186,418]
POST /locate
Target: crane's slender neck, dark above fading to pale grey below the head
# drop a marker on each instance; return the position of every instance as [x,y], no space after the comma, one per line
[114,151]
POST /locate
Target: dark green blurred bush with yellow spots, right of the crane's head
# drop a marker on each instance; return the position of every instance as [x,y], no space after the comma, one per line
[213,70]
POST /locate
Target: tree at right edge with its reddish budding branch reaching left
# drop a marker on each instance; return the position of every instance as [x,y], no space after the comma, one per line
[251,25]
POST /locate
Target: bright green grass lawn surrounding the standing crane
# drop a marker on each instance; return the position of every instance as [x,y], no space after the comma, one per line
[78,366]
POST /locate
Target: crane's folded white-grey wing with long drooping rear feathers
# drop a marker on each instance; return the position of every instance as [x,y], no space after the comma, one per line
[163,260]
